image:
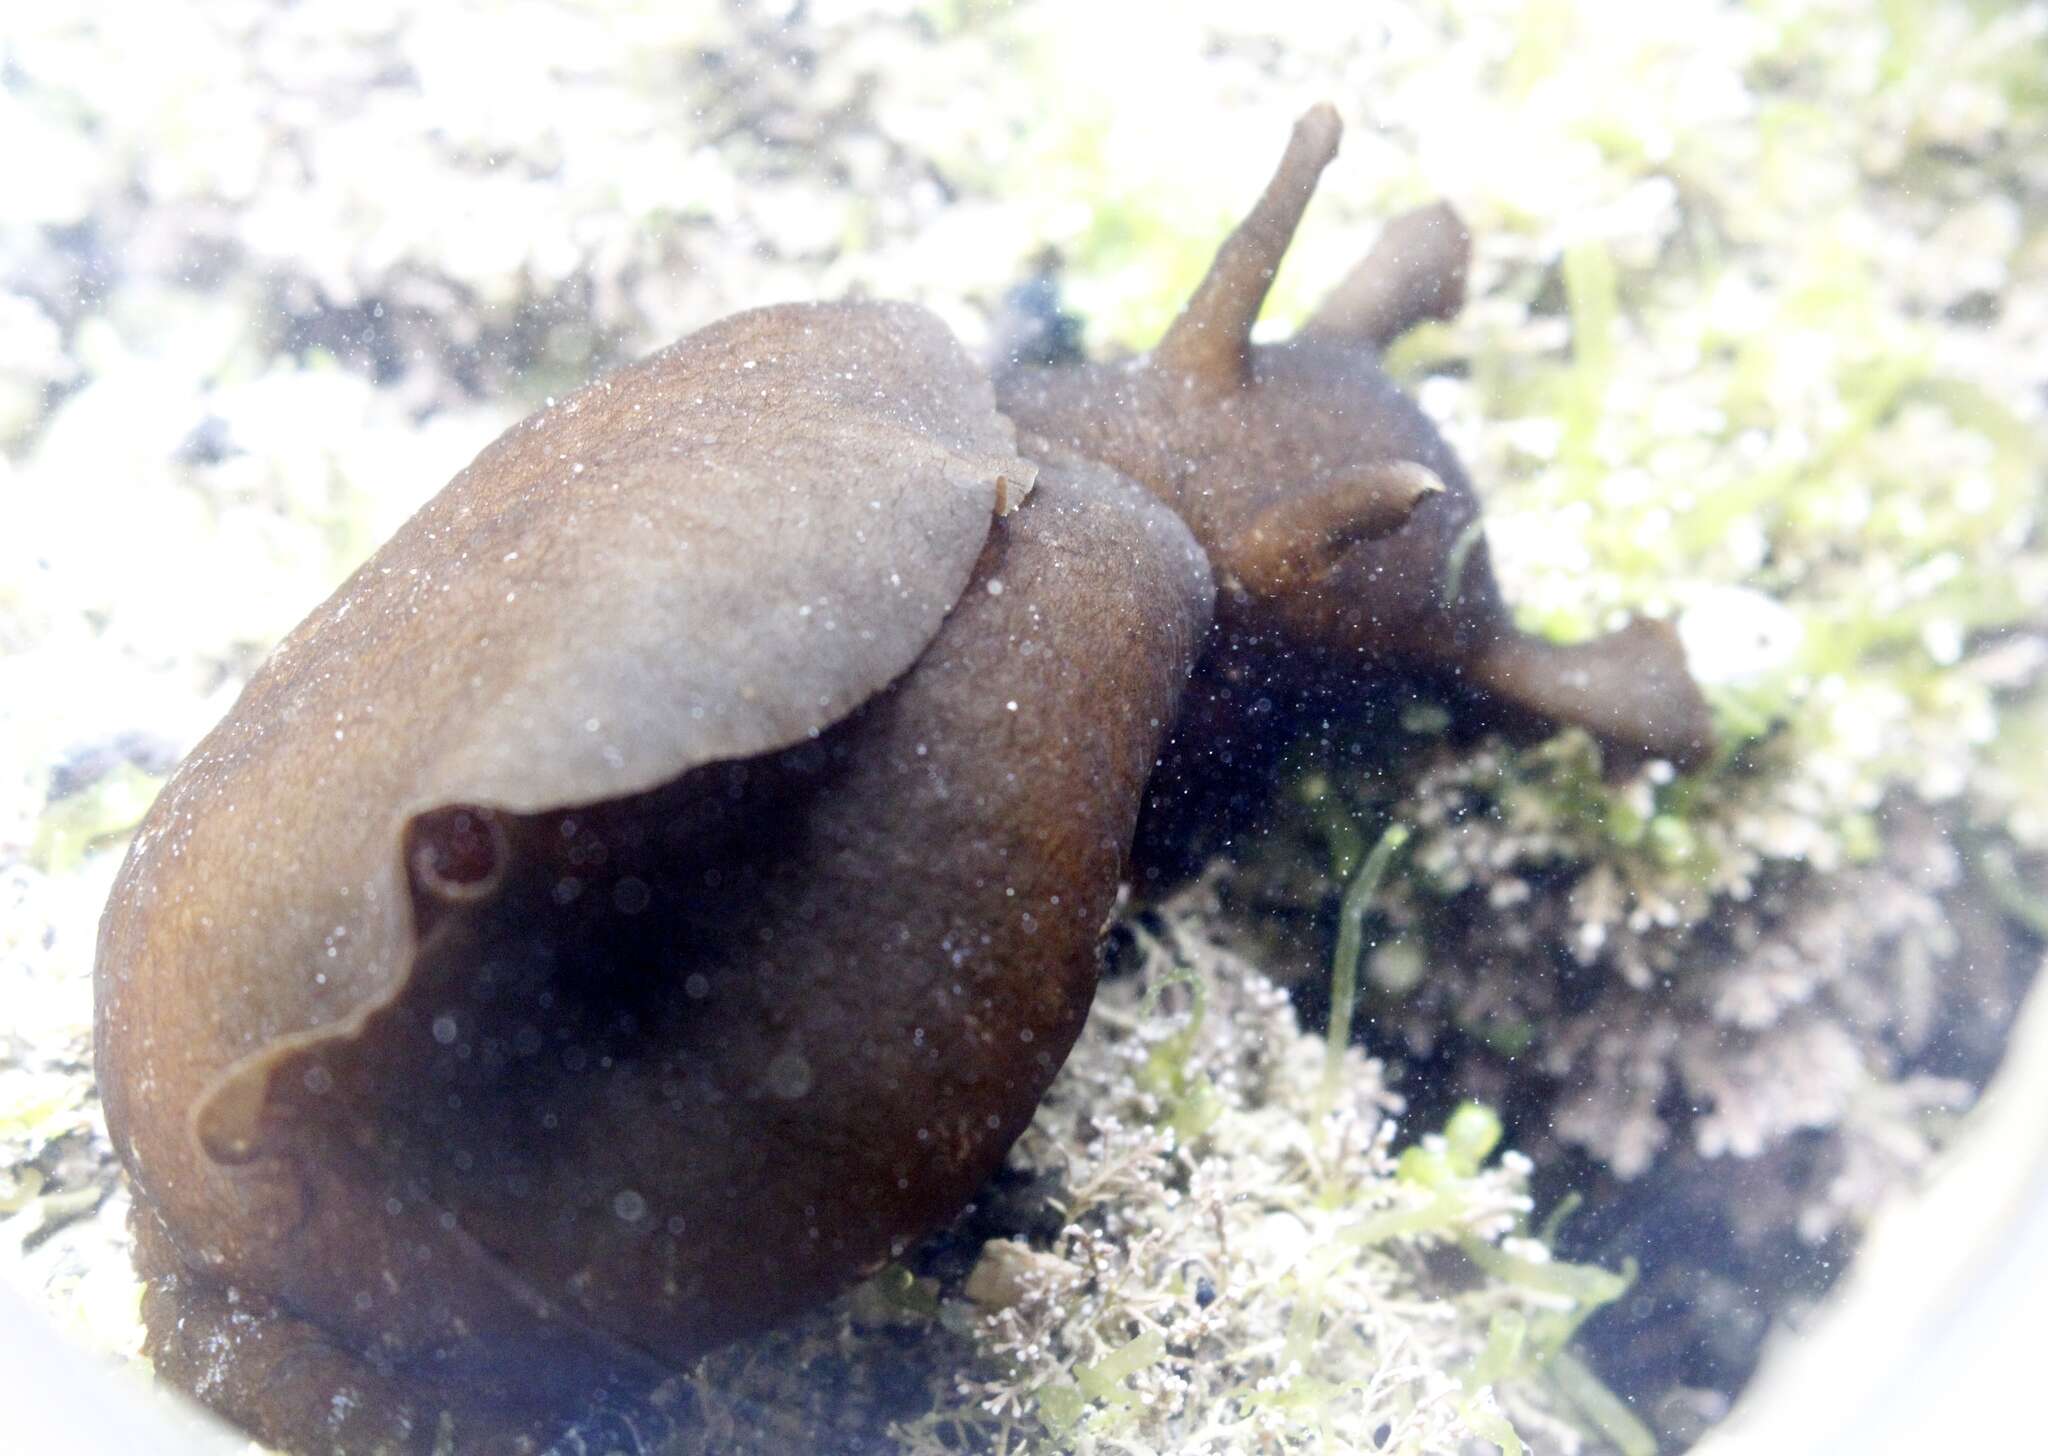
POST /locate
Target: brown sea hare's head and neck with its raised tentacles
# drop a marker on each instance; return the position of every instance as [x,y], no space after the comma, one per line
[1287,462]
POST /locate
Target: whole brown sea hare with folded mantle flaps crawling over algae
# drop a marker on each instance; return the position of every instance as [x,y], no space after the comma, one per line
[663,882]
